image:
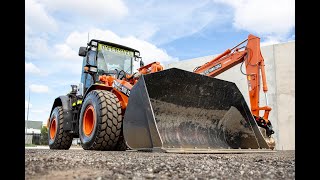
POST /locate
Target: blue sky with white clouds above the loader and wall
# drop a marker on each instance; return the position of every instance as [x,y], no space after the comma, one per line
[164,31]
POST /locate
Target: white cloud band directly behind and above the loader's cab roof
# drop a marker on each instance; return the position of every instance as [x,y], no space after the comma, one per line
[148,51]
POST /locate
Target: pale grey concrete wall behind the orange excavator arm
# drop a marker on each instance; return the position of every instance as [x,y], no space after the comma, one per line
[280,71]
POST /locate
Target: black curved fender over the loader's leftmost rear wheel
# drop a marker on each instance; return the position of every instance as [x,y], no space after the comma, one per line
[67,111]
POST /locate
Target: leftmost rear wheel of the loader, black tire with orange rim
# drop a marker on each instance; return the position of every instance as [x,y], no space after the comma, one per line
[57,137]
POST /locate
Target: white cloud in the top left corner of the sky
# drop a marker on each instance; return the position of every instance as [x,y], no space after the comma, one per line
[37,18]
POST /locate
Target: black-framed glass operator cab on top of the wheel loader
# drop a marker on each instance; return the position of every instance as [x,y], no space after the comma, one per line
[101,57]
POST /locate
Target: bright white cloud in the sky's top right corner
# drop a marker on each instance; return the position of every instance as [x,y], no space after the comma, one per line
[264,17]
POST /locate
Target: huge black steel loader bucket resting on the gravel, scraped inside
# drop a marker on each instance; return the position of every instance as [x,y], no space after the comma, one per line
[184,112]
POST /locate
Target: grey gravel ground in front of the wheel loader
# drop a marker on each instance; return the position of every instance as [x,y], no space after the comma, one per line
[98,165]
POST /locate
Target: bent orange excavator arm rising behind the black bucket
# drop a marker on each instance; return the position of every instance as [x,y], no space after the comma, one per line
[254,64]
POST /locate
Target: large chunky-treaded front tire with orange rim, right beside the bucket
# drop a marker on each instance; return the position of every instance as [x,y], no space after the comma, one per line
[100,121]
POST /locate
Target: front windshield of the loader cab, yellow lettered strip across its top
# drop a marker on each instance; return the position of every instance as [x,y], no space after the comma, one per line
[112,59]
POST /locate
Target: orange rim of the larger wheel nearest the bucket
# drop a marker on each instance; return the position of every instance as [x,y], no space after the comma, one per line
[88,120]
